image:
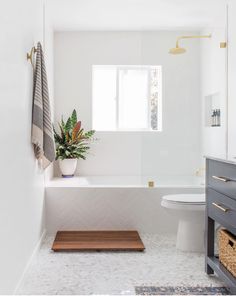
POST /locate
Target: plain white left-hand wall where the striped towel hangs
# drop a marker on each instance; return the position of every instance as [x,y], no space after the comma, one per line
[22,190]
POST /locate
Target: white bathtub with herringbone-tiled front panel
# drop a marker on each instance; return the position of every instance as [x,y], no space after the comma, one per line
[83,203]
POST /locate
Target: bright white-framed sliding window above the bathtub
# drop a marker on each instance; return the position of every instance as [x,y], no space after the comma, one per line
[127,98]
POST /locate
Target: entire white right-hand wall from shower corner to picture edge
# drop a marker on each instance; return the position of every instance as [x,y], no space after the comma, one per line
[219,76]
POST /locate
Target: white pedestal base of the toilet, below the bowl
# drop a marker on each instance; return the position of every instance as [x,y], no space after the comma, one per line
[190,236]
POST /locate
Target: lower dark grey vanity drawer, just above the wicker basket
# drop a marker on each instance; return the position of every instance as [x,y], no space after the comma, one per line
[221,208]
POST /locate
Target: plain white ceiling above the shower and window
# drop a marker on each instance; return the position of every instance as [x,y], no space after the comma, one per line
[134,14]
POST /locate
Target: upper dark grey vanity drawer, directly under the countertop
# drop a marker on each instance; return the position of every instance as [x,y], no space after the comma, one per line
[222,177]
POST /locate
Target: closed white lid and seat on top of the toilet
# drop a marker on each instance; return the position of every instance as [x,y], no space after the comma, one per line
[186,198]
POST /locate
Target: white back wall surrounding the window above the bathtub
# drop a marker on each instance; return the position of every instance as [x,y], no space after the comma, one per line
[176,150]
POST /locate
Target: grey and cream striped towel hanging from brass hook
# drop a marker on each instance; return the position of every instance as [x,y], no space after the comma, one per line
[42,133]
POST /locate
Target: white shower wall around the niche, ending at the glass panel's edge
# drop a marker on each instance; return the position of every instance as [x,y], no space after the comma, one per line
[214,81]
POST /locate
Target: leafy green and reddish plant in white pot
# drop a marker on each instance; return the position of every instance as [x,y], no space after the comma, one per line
[72,143]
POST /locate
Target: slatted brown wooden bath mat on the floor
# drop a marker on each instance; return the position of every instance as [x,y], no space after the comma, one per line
[97,241]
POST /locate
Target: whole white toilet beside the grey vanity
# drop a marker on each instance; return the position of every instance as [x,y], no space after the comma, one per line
[190,211]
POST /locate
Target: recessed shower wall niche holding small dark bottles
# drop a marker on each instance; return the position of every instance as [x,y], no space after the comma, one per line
[213,110]
